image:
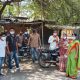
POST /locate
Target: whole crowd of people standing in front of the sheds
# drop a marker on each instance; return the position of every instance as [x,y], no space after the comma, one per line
[69,49]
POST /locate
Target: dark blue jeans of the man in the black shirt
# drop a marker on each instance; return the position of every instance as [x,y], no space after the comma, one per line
[14,56]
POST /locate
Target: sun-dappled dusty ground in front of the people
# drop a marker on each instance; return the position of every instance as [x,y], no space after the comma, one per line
[30,71]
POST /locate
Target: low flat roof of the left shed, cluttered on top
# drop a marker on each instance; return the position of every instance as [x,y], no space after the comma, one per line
[9,21]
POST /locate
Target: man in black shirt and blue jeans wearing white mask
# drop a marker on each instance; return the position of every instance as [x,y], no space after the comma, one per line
[12,48]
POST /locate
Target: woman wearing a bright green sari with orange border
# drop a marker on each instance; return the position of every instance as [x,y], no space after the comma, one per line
[73,58]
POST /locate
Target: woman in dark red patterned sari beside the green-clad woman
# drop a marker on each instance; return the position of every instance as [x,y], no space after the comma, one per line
[63,50]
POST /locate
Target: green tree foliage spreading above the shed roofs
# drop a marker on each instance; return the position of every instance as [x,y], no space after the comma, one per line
[61,11]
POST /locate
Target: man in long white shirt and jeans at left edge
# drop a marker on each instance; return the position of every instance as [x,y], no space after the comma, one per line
[2,49]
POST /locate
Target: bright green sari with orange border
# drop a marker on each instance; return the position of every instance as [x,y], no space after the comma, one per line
[72,67]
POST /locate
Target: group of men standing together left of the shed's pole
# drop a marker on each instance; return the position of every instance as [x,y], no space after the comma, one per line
[10,43]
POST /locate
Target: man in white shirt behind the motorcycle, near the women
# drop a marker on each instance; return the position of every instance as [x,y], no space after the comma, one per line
[53,41]
